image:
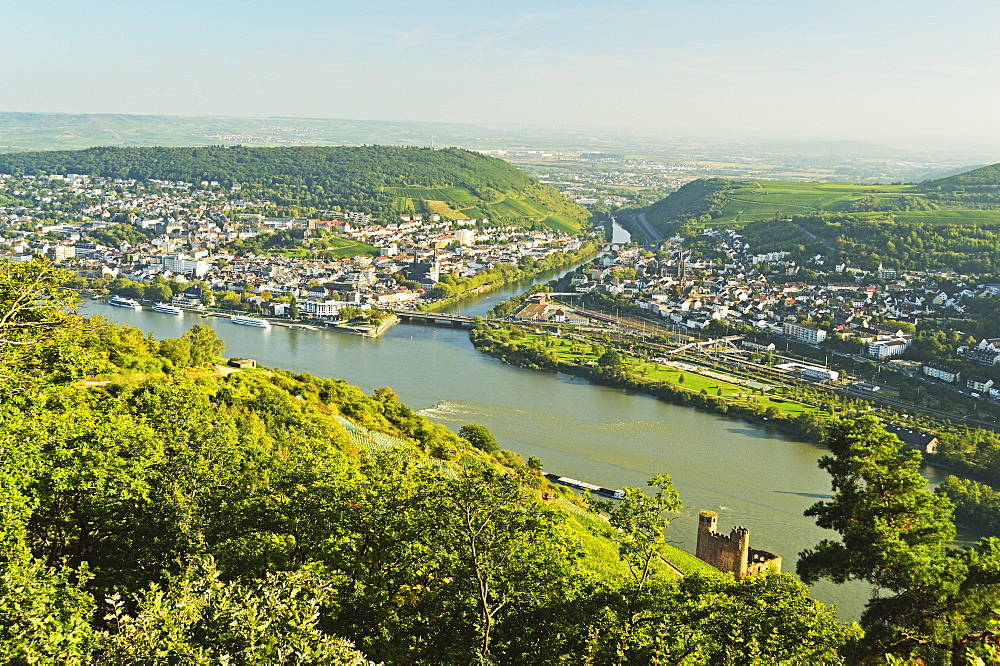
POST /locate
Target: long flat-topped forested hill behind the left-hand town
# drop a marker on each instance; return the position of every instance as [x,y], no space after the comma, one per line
[379,180]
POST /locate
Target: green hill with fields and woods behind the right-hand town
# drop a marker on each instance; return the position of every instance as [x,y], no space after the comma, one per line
[947,223]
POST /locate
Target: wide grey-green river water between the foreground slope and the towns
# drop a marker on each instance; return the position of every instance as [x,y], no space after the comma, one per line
[750,475]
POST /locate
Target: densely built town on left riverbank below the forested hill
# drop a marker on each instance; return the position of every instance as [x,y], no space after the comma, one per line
[200,245]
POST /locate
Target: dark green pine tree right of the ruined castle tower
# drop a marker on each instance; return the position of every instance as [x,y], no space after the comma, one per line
[929,602]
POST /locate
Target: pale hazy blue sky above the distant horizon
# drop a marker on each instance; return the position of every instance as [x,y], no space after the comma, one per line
[812,67]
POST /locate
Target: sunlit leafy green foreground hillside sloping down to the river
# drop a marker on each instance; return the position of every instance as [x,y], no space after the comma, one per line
[154,509]
